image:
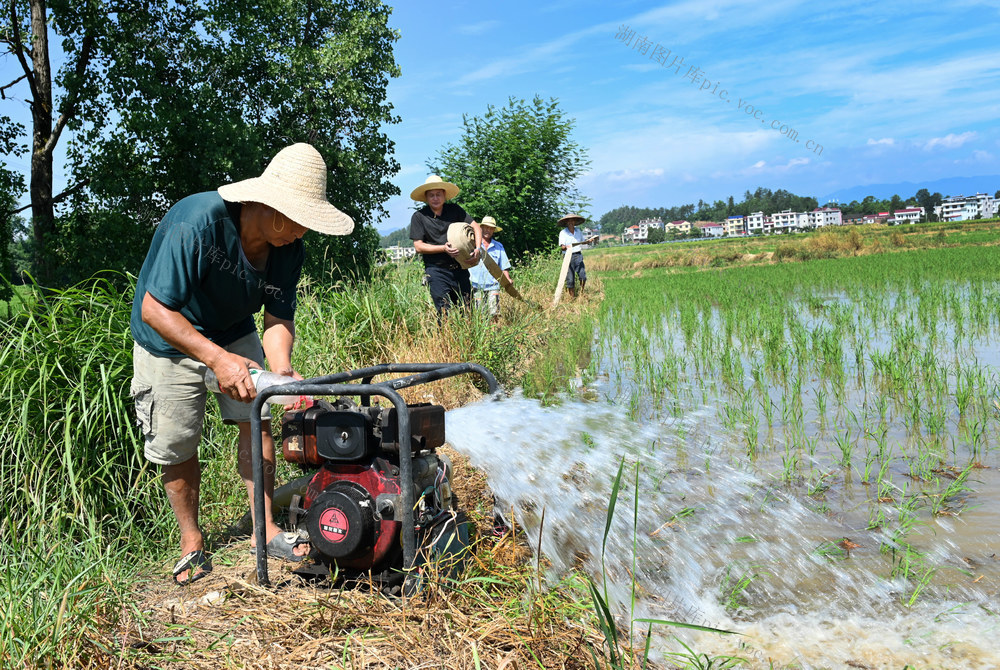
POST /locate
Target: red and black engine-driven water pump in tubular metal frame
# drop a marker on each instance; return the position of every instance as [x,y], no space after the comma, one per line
[378,502]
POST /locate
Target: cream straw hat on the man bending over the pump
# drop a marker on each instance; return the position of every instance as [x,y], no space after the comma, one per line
[294,183]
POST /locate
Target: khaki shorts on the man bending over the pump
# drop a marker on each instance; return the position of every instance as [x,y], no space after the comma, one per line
[170,396]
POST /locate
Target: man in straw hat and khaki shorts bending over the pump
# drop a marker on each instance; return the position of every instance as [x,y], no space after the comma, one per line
[215,259]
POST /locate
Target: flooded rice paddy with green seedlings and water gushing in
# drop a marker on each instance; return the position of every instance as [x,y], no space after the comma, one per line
[808,456]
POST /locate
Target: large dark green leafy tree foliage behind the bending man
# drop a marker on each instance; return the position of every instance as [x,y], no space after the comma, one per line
[180,97]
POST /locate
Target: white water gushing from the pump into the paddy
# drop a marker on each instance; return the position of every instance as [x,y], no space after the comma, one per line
[703,516]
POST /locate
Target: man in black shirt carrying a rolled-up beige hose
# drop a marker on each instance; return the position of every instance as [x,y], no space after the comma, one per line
[447,250]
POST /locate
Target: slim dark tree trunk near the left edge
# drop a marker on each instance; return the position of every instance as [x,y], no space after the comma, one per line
[42,210]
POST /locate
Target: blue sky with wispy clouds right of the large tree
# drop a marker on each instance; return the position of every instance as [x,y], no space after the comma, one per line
[891,91]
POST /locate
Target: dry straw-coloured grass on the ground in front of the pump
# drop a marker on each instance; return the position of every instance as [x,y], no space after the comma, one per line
[484,620]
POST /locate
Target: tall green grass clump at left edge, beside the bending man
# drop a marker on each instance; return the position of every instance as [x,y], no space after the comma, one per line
[77,498]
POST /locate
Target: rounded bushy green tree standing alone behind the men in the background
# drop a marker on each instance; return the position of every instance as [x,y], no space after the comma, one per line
[518,164]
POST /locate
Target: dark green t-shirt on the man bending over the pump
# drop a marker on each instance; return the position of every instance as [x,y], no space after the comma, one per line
[196,266]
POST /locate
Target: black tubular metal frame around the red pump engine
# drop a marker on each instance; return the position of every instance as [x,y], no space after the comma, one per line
[334,385]
